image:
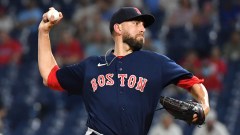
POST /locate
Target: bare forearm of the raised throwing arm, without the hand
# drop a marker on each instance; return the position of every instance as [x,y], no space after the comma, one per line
[46,61]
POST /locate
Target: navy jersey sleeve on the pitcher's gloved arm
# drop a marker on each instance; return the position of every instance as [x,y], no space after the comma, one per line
[172,72]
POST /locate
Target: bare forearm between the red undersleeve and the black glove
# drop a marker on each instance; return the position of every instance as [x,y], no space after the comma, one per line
[200,93]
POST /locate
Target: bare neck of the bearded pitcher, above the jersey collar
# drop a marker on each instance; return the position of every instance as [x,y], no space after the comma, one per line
[121,49]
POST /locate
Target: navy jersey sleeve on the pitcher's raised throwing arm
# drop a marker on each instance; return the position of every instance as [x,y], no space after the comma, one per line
[71,78]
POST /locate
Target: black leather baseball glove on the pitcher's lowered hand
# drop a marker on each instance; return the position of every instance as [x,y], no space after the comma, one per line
[184,110]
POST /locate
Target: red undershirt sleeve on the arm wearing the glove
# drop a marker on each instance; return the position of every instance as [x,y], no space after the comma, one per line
[188,83]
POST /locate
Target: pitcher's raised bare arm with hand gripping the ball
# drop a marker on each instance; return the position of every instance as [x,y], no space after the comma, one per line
[46,60]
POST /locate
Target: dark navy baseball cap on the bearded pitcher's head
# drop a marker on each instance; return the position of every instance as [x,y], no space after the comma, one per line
[130,13]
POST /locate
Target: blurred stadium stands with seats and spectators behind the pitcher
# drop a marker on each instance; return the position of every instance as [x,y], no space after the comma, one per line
[201,35]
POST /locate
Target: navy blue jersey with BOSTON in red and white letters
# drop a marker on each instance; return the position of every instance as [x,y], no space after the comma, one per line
[121,98]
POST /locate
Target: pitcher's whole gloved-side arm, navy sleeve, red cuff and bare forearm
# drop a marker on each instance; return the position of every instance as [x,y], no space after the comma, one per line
[175,74]
